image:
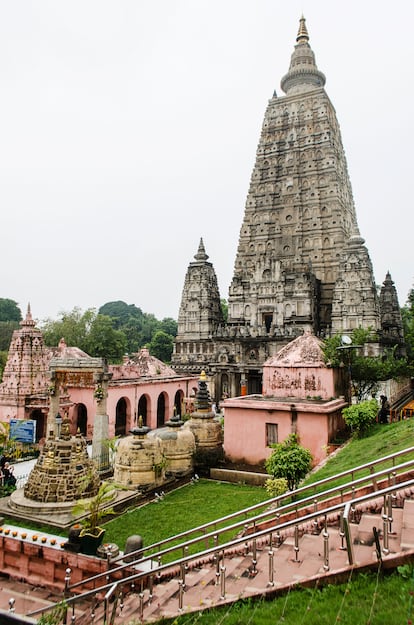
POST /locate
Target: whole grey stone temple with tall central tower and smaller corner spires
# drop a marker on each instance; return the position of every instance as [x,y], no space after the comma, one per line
[301,263]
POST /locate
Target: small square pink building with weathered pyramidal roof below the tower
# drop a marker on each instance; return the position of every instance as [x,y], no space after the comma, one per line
[301,395]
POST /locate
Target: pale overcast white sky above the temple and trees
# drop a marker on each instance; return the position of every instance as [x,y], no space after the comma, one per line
[128,130]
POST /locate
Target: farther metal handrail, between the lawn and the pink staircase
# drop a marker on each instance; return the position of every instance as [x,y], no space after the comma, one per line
[344,490]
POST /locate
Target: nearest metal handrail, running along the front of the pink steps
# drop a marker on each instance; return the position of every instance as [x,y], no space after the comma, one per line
[219,551]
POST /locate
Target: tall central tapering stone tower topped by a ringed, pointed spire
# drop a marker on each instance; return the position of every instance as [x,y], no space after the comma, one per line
[299,213]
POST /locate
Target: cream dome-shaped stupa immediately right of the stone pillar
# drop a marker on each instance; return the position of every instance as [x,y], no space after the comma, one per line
[139,460]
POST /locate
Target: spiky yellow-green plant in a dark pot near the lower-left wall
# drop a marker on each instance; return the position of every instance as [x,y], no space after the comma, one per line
[91,535]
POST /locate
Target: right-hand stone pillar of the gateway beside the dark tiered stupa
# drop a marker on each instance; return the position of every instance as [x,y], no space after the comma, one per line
[100,450]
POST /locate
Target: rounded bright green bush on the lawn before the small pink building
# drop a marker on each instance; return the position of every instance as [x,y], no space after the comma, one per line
[289,460]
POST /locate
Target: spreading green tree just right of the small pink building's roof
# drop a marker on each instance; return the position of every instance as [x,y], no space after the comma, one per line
[366,371]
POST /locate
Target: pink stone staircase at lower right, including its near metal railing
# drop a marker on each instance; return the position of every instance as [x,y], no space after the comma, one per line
[270,562]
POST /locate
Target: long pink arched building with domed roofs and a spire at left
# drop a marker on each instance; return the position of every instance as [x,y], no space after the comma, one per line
[141,386]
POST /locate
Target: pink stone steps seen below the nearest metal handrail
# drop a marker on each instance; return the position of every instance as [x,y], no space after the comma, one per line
[303,564]
